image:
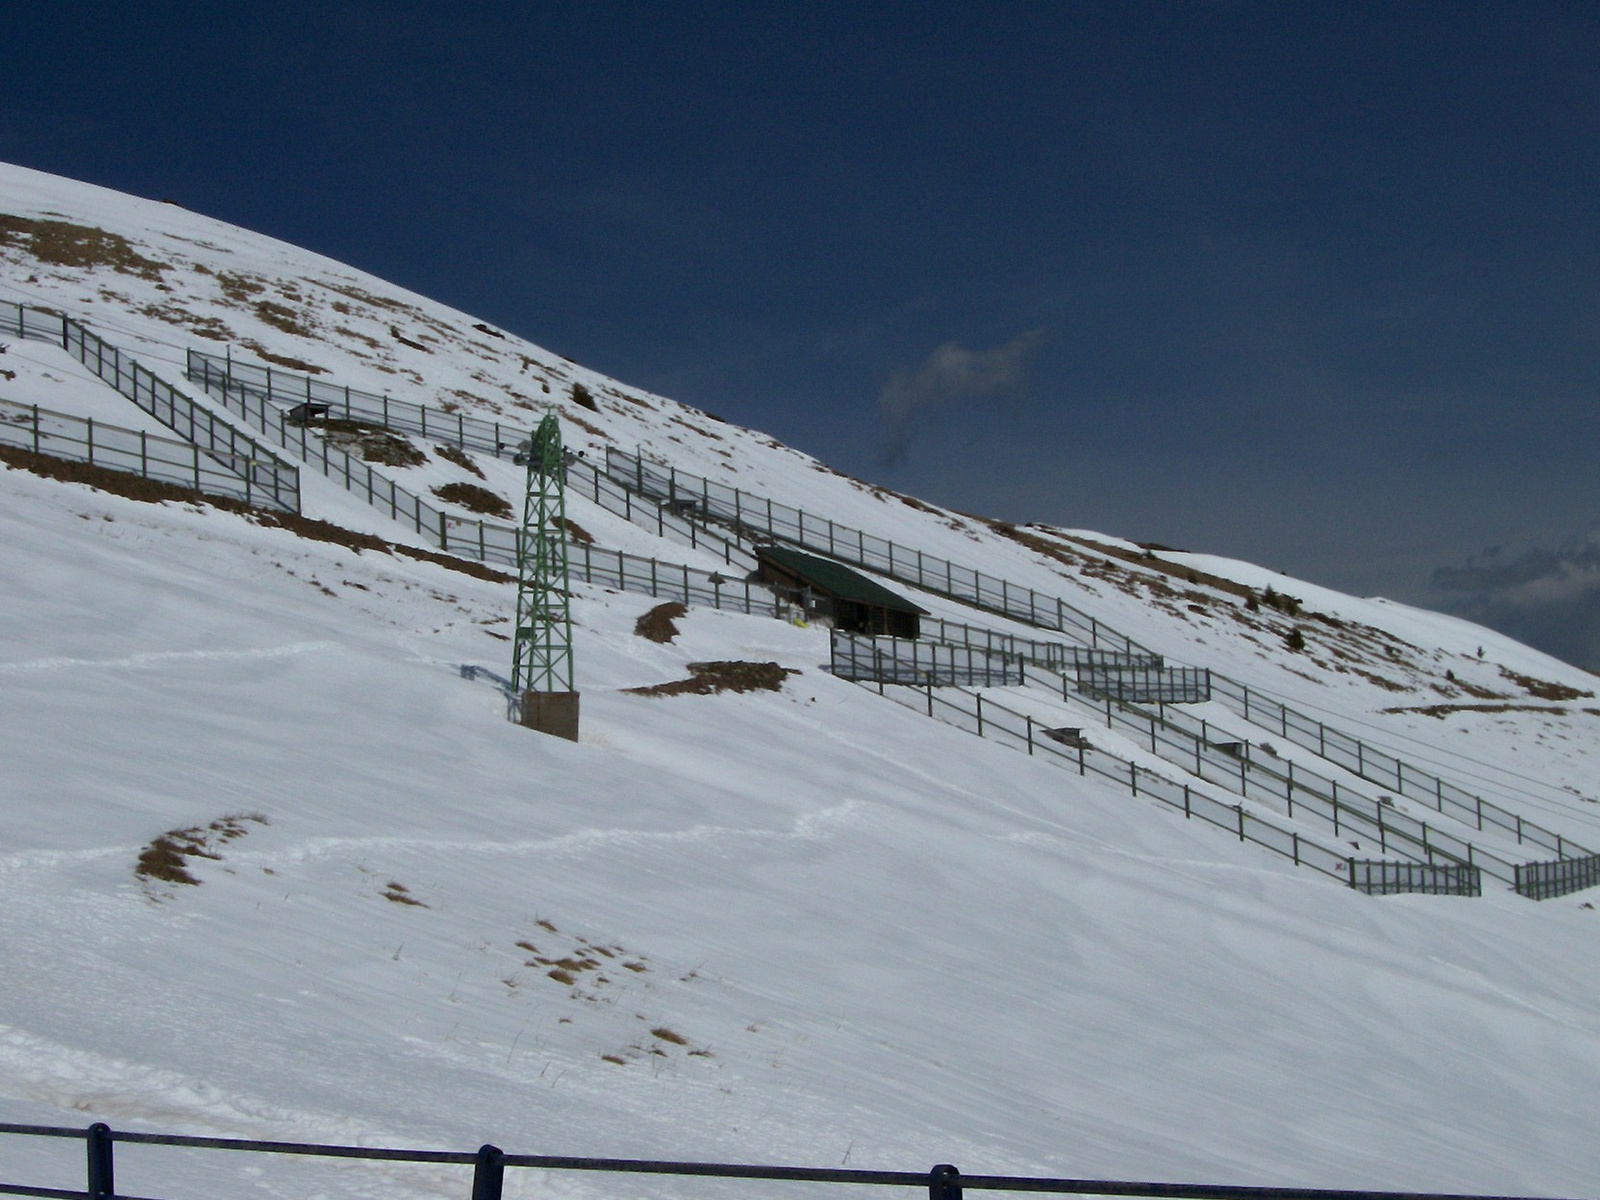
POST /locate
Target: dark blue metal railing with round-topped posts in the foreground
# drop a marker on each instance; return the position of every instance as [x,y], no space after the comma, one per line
[489,1166]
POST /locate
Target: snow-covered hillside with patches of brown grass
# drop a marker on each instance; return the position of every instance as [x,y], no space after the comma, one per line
[802,926]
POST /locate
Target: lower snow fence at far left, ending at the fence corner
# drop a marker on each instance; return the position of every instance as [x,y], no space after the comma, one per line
[127,450]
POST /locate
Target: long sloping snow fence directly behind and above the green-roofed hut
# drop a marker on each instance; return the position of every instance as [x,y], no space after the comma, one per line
[750,514]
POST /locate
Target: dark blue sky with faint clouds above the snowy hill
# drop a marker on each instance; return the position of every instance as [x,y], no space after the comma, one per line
[1314,286]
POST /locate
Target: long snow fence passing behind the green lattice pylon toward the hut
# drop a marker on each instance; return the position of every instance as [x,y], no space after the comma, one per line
[486,542]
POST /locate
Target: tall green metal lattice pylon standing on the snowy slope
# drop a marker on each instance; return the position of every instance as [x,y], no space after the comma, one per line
[543,646]
